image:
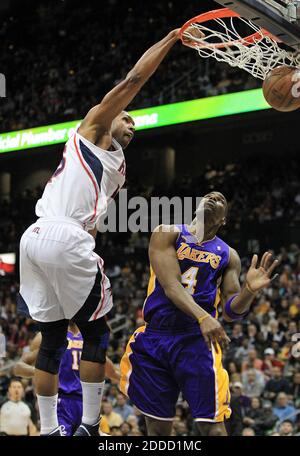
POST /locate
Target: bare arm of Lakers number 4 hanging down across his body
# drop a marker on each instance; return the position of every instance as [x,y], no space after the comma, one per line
[163,259]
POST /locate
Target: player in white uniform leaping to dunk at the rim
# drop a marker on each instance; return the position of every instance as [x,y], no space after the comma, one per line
[61,276]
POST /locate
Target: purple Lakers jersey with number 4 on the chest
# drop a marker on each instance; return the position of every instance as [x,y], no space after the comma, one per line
[202,266]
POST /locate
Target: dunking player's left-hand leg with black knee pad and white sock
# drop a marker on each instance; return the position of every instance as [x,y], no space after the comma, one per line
[53,345]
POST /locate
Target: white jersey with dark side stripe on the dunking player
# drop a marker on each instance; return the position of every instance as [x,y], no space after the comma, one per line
[82,186]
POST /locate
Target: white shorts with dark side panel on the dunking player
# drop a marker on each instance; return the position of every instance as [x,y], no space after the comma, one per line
[60,274]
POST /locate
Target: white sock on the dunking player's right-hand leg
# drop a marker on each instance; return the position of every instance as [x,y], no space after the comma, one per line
[91,401]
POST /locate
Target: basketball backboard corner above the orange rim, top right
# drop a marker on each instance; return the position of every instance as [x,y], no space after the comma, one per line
[280,17]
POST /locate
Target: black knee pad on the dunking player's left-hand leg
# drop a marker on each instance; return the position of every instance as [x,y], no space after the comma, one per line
[53,346]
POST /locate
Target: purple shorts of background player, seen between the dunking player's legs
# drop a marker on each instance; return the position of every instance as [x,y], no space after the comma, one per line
[69,412]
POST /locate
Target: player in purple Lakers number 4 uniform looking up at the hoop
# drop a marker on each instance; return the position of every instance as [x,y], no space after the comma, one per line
[179,348]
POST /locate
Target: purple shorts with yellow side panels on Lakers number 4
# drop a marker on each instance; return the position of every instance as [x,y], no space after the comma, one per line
[159,364]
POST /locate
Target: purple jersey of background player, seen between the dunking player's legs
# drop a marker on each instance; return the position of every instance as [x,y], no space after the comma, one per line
[69,381]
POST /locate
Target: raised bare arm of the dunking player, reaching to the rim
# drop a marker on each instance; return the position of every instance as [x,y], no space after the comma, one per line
[100,117]
